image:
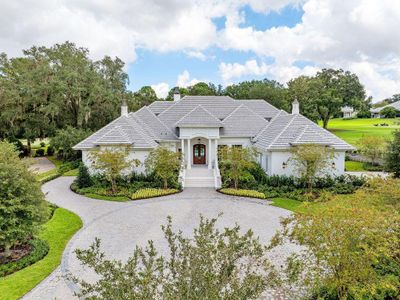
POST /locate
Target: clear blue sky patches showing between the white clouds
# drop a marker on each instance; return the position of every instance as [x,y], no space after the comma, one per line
[152,67]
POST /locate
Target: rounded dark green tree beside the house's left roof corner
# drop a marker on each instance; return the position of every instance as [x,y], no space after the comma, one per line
[65,139]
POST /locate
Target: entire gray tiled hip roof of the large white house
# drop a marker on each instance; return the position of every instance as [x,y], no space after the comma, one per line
[269,127]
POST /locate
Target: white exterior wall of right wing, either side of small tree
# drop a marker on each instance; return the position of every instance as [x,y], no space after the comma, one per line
[276,160]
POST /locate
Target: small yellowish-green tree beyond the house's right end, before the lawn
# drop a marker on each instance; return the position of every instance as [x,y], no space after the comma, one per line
[372,147]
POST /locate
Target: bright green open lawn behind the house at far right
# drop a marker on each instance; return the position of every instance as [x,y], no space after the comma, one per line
[352,130]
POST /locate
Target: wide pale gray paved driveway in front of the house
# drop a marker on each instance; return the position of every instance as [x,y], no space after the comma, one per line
[123,225]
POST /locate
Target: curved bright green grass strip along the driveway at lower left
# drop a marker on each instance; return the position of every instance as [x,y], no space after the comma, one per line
[57,232]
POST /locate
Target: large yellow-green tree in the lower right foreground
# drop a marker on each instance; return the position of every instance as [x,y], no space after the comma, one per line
[348,250]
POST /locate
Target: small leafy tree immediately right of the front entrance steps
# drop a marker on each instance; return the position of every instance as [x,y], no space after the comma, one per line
[235,163]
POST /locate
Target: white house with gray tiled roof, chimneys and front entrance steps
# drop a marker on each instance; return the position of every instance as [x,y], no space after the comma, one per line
[198,126]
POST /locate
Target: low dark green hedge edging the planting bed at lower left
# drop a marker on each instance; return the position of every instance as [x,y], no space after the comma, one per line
[39,250]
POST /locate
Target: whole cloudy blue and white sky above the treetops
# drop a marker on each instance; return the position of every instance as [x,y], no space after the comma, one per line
[165,43]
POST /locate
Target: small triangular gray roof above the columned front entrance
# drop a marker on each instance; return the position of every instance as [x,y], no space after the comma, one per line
[199,117]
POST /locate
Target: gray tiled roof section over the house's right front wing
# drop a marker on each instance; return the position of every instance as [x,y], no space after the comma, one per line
[286,130]
